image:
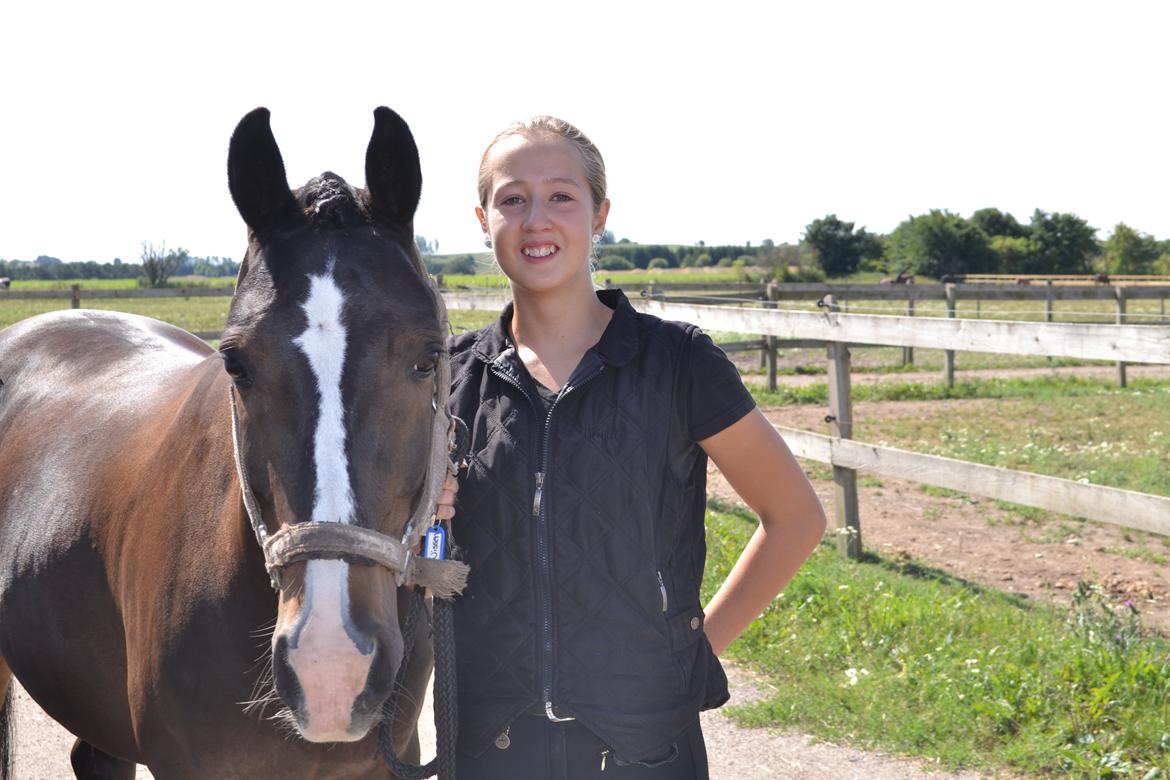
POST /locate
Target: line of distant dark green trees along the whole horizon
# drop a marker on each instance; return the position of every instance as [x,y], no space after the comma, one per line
[937,245]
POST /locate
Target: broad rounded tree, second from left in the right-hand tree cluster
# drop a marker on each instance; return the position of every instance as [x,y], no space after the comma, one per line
[941,244]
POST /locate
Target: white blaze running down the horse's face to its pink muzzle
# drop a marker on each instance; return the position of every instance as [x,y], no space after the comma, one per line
[331,668]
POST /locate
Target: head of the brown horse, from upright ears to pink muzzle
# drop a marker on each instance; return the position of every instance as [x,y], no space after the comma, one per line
[332,348]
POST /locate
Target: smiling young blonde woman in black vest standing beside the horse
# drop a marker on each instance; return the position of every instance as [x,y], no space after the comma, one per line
[583,650]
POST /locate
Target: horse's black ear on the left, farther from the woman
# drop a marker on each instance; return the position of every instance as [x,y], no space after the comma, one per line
[256,174]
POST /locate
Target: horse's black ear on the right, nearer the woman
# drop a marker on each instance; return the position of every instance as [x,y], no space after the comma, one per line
[394,176]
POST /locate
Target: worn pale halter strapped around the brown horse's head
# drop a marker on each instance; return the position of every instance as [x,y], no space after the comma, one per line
[316,541]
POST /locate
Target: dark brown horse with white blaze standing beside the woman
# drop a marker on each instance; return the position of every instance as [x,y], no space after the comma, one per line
[154,493]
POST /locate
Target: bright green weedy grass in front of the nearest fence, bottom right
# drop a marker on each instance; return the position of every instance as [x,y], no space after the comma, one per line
[892,655]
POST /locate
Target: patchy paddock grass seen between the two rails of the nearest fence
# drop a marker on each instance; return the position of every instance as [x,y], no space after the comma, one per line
[1084,430]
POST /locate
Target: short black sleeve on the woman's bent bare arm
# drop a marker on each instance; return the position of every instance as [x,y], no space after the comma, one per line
[715,396]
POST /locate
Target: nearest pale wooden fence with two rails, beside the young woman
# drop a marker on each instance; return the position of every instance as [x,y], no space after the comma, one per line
[1124,343]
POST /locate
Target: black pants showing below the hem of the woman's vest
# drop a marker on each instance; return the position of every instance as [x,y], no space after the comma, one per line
[542,750]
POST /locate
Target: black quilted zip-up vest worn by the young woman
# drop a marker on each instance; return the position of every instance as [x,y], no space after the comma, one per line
[584,533]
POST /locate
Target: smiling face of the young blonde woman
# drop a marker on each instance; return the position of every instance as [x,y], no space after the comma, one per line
[540,213]
